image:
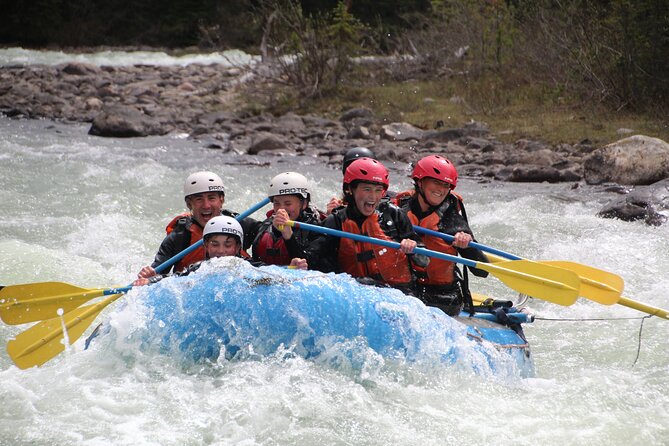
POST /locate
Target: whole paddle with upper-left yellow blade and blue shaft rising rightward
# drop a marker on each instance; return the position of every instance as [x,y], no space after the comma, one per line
[20,304]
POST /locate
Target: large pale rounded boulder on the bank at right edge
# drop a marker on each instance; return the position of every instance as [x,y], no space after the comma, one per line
[637,160]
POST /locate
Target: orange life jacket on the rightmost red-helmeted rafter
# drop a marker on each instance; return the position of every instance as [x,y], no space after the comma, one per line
[438,271]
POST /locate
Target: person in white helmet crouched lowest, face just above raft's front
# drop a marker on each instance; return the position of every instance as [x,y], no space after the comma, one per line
[223,237]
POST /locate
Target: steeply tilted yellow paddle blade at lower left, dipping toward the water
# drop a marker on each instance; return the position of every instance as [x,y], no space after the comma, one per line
[45,340]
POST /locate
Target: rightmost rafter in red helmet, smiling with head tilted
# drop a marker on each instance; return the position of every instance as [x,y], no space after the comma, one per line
[433,205]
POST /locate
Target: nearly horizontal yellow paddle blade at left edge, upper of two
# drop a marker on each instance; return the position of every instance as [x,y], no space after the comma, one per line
[30,302]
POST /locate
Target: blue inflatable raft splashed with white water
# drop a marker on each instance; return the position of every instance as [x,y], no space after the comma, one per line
[229,310]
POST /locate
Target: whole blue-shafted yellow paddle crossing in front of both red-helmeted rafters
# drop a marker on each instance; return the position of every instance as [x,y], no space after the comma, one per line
[534,279]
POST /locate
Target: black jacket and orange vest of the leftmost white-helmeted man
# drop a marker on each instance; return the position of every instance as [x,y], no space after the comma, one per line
[183,231]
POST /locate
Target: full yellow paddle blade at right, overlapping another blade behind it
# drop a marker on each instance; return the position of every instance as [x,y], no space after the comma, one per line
[544,282]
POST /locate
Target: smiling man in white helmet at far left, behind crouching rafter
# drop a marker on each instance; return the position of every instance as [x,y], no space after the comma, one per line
[204,194]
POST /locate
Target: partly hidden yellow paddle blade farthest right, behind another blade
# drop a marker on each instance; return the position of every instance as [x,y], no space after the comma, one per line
[596,284]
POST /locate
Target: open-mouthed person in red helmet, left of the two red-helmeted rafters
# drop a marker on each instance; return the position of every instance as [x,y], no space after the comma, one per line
[366,212]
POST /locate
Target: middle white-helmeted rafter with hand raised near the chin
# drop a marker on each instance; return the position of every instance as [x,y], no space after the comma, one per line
[276,242]
